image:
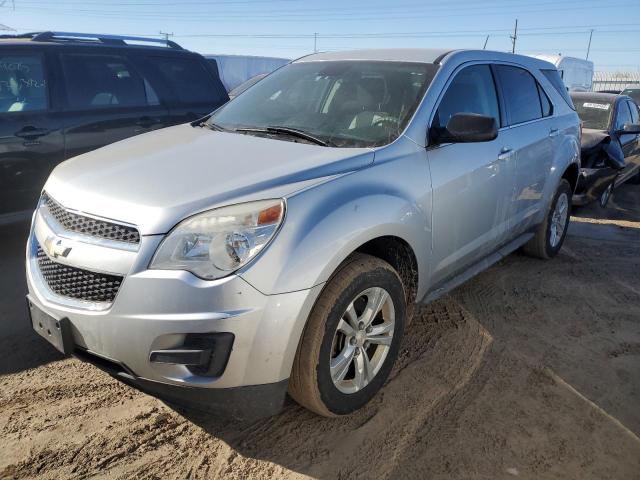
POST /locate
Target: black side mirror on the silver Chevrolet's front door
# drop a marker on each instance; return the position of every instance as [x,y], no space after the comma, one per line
[467,128]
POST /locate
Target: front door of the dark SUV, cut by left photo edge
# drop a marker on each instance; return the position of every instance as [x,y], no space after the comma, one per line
[31,140]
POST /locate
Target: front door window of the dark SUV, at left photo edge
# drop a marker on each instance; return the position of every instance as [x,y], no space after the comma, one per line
[23,87]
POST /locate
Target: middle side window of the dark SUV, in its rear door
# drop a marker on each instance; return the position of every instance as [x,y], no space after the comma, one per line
[97,81]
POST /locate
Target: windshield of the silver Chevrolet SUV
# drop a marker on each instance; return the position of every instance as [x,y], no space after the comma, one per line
[341,103]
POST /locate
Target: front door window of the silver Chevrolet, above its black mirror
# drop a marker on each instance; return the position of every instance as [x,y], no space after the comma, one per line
[471,91]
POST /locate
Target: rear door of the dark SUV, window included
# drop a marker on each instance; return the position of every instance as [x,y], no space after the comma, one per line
[107,99]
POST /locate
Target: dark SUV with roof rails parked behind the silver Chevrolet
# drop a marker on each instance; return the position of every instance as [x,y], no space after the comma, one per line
[64,94]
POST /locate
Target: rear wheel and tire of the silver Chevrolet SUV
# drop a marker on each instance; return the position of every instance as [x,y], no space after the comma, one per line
[551,233]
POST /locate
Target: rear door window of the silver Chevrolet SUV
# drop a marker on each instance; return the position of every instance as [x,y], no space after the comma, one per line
[521,96]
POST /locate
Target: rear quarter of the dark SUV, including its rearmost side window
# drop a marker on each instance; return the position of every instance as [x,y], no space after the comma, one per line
[190,87]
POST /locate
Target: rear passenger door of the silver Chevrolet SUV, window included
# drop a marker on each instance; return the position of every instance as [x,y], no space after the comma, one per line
[530,138]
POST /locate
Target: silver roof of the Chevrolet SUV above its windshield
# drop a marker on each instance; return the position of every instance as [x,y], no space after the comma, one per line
[418,55]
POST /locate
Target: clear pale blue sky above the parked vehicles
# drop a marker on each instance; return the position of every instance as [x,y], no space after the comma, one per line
[292,28]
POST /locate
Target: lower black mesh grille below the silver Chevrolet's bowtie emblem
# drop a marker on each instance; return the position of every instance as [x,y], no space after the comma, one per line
[77,283]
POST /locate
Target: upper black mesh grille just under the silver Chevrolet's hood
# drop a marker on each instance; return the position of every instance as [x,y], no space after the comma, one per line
[90,226]
